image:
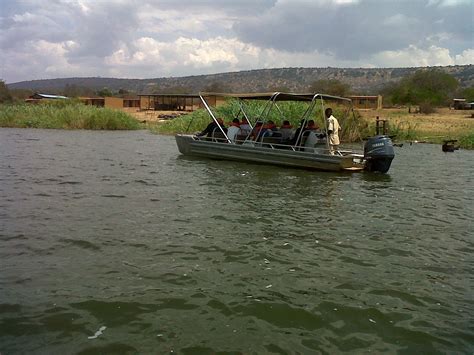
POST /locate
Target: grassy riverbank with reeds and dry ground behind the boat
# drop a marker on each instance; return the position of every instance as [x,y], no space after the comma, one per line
[433,128]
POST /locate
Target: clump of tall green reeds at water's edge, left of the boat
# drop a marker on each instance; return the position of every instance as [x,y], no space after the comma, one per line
[65,115]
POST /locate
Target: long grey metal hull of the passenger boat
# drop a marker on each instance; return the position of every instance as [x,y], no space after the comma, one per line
[266,154]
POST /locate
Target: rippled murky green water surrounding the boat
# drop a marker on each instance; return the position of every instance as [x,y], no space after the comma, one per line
[111,242]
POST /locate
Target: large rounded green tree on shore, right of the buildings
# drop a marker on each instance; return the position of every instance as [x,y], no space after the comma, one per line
[432,87]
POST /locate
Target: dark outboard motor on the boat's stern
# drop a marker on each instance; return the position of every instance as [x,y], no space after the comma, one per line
[378,153]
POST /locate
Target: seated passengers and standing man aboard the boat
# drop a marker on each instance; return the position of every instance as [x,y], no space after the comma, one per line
[242,130]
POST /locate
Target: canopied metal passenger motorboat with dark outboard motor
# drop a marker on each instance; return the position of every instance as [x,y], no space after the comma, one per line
[306,148]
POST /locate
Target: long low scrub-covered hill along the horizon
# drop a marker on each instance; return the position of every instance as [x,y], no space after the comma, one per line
[361,80]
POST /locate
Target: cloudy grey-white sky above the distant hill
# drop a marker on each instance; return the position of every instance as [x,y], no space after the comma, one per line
[162,38]
